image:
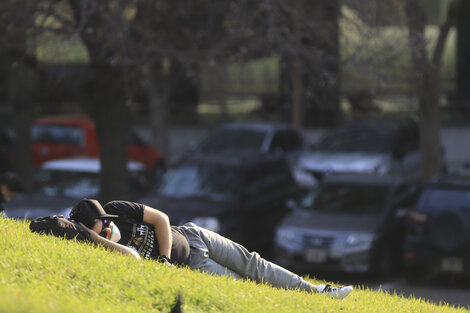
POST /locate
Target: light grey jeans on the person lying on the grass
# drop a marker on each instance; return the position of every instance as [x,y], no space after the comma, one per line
[215,254]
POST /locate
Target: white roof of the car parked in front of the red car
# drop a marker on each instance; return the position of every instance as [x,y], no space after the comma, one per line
[89,165]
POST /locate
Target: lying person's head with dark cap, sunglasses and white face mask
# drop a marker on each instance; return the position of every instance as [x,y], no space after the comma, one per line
[92,215]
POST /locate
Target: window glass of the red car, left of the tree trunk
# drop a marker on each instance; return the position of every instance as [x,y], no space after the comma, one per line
[54,134]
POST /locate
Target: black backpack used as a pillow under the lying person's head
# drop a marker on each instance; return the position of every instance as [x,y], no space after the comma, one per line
[59,226]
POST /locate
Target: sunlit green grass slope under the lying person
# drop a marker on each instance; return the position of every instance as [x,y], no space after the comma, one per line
[48,274]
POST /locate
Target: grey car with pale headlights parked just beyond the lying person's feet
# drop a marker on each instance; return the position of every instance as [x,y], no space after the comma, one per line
[349,223]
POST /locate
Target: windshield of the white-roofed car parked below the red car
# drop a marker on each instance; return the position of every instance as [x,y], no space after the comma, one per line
[69,184]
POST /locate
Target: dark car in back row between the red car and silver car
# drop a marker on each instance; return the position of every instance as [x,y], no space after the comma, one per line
[258,136]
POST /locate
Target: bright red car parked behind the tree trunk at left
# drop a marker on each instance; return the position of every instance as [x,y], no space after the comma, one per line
[62,137]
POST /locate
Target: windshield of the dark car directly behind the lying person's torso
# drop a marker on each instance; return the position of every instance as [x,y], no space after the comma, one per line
[200,181]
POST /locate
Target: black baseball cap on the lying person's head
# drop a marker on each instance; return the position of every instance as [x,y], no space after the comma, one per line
[87,211]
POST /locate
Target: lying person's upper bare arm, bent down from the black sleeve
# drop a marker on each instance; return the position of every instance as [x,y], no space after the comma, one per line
[161,224]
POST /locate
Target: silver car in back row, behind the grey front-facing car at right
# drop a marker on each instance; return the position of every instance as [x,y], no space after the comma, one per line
[378,147]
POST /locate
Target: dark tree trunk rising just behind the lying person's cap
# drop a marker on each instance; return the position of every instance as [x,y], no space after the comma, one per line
[108,99]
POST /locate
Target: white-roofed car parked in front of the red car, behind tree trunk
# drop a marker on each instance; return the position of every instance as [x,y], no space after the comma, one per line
[58,184]
